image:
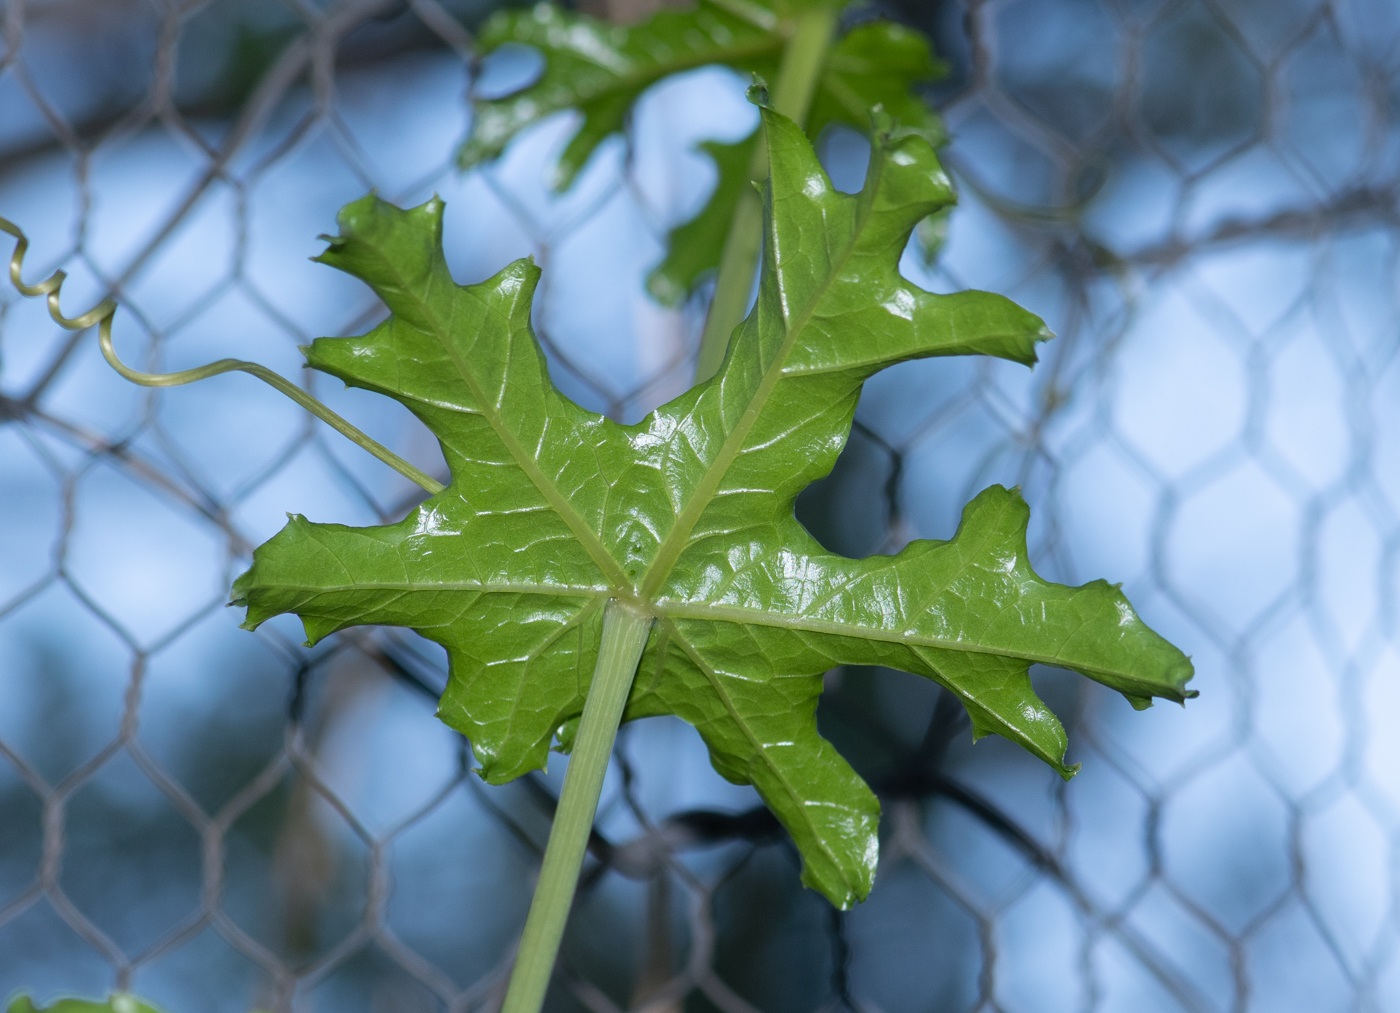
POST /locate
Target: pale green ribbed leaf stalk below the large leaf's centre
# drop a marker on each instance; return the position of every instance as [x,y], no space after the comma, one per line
[625,636]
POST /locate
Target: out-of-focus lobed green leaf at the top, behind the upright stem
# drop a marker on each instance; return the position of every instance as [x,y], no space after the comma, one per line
[601,71]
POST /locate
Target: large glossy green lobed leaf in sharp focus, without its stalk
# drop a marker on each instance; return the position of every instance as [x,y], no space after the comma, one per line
[554,510]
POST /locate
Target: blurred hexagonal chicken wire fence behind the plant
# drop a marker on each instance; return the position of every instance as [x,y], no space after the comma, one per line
[1200,198]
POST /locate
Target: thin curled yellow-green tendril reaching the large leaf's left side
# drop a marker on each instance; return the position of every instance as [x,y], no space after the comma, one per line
[103,314]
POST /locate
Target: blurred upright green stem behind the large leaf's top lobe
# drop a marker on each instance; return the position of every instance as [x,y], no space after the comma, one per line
[793,96]
